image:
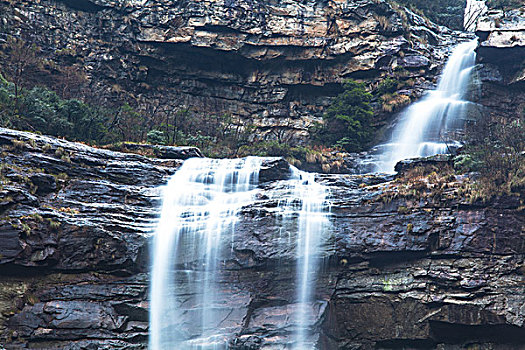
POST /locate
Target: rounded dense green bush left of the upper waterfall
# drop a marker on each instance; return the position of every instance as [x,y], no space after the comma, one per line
[347,122]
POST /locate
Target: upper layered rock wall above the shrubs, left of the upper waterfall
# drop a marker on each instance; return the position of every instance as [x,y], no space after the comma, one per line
[271,64]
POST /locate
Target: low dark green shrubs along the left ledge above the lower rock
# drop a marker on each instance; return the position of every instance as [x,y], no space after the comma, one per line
[40,109]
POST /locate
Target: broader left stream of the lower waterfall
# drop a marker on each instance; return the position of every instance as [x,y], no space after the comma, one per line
[200,206]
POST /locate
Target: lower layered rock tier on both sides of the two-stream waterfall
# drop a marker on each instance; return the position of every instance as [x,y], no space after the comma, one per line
[409,263]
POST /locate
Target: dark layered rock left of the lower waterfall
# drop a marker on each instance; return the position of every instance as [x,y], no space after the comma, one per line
[74,222]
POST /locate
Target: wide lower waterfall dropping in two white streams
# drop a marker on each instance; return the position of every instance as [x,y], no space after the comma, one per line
[195,235]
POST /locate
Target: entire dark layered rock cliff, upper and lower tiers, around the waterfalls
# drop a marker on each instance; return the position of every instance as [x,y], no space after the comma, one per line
[410,263]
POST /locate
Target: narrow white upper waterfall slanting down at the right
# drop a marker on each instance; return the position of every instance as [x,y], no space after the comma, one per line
[428,126]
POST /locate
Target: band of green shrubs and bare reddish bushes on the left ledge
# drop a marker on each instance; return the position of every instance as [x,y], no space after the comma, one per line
[38,96]
